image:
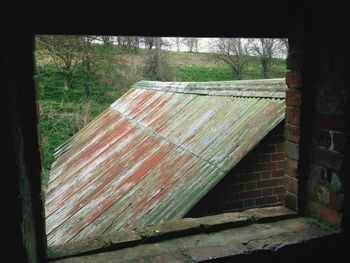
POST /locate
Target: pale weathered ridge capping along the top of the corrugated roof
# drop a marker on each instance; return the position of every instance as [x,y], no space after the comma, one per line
[268,88]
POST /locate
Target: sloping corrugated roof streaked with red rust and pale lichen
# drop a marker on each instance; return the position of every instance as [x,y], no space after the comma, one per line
[155,152]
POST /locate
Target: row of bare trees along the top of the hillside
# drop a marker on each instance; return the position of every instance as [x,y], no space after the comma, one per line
[71,52]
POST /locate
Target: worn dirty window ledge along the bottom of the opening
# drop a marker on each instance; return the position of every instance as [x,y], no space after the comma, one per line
[199,239]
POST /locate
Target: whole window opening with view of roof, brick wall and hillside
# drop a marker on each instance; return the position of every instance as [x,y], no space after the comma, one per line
[150,129]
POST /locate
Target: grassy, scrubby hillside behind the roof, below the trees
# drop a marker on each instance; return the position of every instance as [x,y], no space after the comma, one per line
[63,111]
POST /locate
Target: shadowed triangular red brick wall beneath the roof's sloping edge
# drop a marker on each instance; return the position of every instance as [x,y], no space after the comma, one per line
[256,181]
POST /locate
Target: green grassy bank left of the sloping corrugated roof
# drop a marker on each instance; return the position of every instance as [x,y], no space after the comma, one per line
[63,111]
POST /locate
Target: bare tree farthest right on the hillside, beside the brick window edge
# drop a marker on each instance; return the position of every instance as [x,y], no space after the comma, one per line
[265,49]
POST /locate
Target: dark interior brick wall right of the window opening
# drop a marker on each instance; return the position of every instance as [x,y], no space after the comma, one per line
[317,116]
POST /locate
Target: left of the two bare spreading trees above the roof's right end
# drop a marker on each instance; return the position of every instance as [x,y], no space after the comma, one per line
[234,53]
